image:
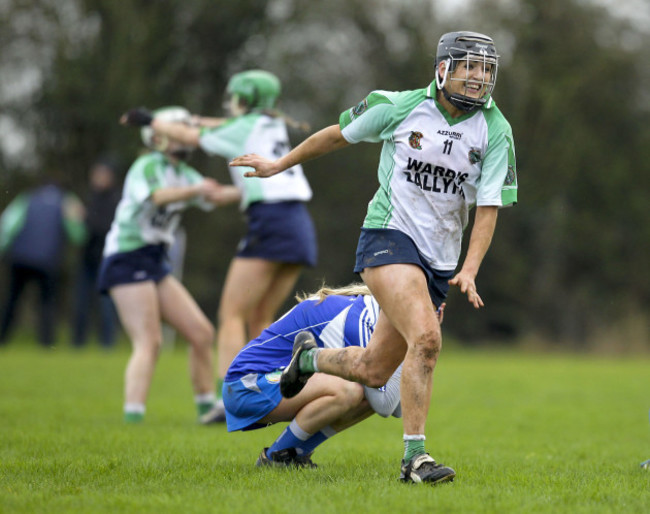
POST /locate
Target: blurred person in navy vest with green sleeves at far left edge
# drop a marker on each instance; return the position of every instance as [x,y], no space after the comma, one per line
[33,232]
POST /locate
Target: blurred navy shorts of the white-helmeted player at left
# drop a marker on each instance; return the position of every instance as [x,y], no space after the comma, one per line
[147,263]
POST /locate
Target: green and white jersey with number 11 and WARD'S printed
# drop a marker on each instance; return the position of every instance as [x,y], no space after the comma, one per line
[433,168]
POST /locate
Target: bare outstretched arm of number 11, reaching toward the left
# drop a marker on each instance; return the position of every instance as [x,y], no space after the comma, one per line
[322,142]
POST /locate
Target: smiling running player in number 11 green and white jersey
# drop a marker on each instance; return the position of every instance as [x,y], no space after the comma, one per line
[446,149]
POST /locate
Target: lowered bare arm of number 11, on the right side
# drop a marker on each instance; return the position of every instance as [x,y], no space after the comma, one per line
[484,224]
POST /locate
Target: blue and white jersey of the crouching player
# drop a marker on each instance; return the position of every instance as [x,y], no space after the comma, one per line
[336,322]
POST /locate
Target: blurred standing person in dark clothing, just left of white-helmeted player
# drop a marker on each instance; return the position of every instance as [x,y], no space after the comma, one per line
[103,197]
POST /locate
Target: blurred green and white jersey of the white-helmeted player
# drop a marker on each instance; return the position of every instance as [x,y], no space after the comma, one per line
[138,221]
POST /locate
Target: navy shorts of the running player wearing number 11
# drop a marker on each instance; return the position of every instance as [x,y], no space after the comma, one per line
[381,246]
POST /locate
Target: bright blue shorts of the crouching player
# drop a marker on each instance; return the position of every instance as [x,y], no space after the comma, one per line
[249,399]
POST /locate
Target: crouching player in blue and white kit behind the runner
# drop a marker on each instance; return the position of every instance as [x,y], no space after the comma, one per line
[332,318]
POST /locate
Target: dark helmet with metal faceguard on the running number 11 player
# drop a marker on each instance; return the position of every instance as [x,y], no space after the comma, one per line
[474,49]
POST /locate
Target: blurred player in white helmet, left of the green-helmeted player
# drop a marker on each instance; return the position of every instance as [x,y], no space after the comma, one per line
[136,273]
